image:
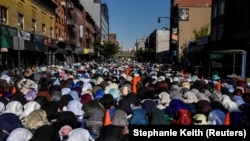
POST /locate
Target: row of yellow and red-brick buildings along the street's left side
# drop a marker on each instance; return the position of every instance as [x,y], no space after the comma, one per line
[37,32]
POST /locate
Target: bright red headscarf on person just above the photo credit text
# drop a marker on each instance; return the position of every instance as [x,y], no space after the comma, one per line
[183,117]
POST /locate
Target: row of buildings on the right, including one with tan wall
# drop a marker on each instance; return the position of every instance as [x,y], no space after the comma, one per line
[223,50]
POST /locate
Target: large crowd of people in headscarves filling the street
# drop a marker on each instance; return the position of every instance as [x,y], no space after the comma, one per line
[98,102]
